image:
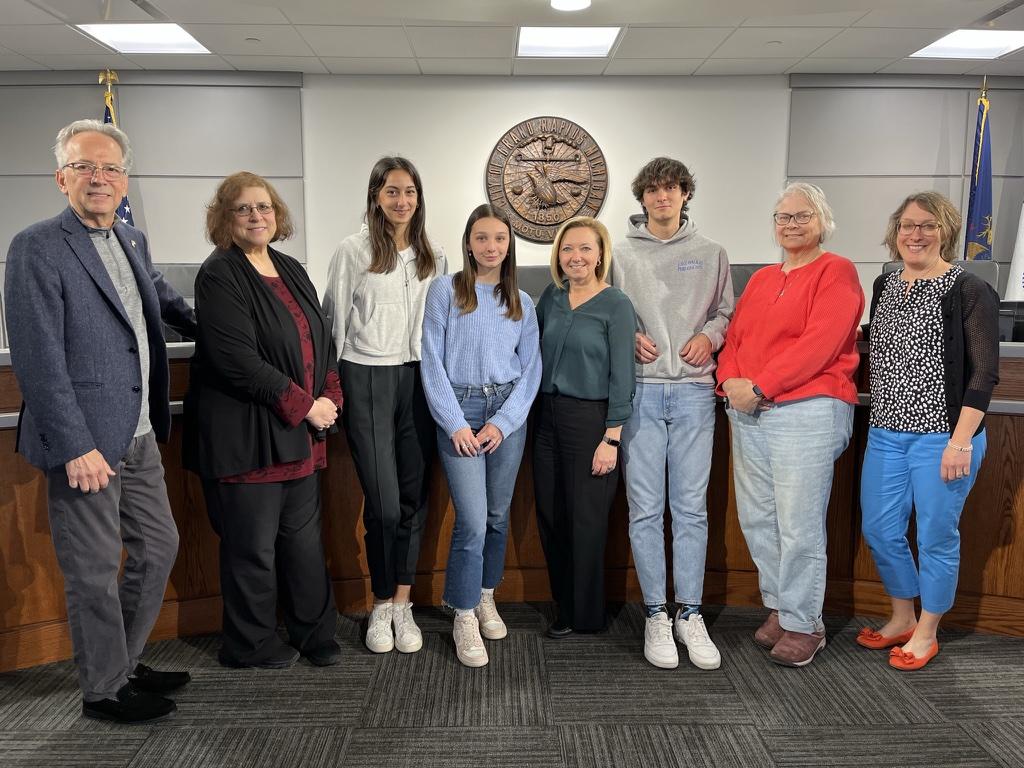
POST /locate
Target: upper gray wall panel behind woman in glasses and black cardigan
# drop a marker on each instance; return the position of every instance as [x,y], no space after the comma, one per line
[214,131]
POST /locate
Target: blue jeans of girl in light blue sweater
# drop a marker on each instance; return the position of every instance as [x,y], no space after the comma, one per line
[482,489]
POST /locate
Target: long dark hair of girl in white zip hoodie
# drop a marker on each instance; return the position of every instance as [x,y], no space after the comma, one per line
[386,253]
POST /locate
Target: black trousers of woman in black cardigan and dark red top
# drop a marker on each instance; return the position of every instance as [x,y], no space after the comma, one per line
[271,545]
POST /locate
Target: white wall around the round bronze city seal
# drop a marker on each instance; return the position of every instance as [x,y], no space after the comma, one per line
[732,133]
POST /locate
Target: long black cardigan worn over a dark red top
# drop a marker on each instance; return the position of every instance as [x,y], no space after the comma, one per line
[247,355]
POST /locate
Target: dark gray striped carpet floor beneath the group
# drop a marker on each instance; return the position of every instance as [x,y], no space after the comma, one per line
[580,702]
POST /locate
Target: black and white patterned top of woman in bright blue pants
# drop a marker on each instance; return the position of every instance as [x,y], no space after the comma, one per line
[909,392]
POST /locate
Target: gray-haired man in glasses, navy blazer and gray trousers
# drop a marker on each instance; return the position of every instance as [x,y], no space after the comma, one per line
[86,309]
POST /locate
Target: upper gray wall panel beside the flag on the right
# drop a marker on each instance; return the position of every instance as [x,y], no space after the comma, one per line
[877,133]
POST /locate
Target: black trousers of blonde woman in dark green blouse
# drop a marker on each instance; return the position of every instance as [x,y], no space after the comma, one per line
[573,505]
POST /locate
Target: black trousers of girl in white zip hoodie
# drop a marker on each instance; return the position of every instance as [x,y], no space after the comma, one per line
[393,439]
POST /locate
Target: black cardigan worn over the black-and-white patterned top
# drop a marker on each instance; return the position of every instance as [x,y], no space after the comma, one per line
[971,338]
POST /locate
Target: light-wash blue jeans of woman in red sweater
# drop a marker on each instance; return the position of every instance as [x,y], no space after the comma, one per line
[783,467]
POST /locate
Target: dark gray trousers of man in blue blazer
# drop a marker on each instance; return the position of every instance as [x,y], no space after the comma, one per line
[111,619]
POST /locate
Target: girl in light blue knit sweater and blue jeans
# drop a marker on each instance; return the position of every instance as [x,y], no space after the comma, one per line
[482,370]
